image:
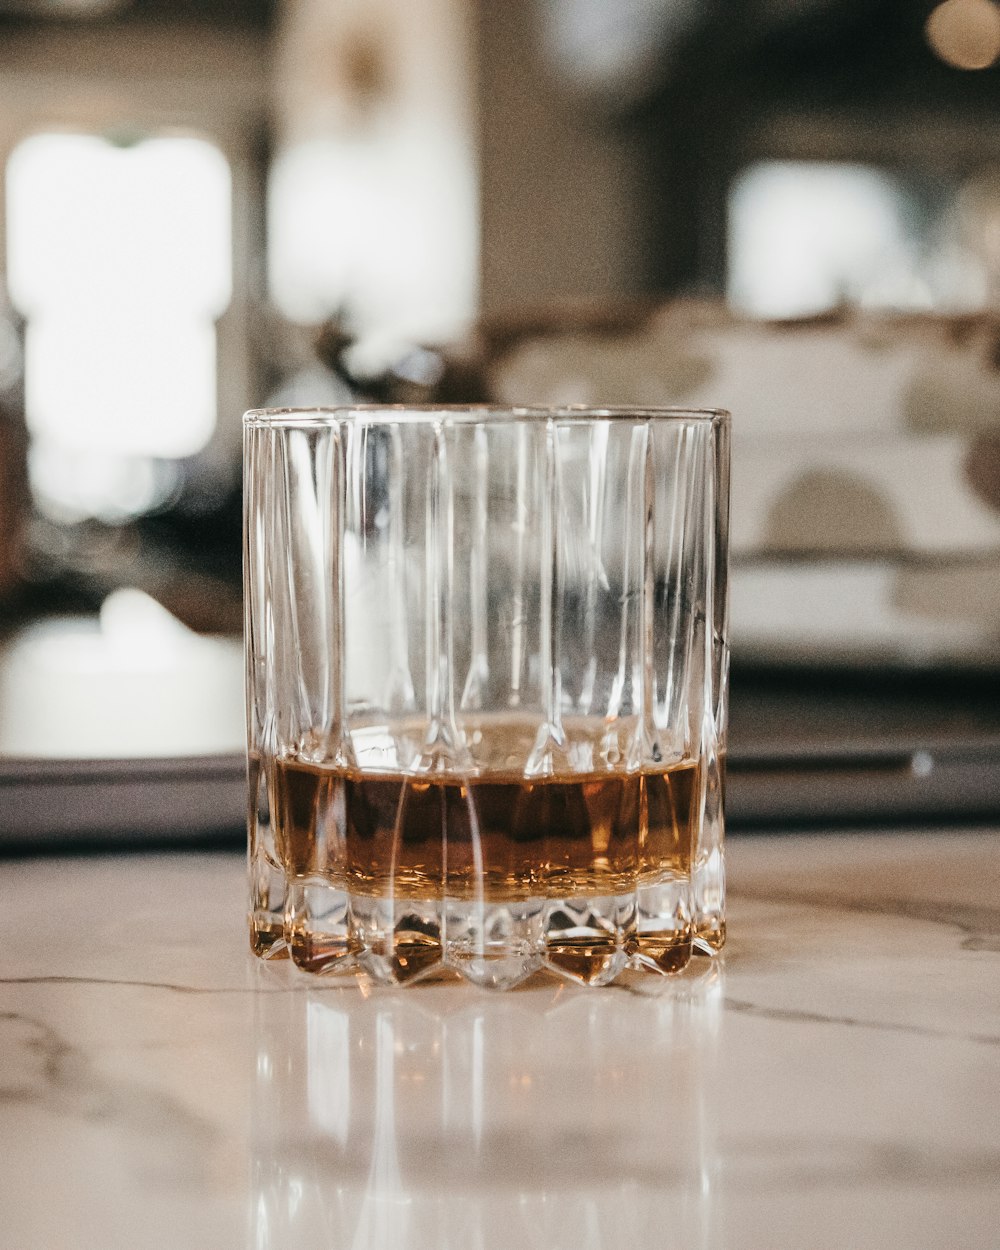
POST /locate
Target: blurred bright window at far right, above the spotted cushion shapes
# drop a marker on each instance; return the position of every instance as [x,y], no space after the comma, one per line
[806,237]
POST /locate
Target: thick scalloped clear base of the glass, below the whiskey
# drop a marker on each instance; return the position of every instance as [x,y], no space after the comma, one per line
[493,944]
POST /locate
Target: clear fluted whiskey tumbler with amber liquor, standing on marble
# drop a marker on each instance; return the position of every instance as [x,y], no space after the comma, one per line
[487,689]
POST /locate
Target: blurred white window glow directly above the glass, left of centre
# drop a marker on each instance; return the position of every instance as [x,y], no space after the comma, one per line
[382,227]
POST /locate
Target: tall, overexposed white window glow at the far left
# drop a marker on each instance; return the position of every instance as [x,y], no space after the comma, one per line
[121,261]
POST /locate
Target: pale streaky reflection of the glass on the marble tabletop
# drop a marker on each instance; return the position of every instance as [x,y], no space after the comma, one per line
[442,1118]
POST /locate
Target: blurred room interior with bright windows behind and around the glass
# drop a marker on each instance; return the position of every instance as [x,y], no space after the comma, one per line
[788,208]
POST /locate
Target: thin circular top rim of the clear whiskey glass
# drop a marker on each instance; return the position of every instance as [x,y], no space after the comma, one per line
[427,414]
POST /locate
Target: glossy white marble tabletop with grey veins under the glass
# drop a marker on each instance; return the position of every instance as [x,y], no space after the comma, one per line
[837,1084]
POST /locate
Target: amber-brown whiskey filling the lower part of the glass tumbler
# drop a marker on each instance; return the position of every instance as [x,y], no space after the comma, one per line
[498,837]
